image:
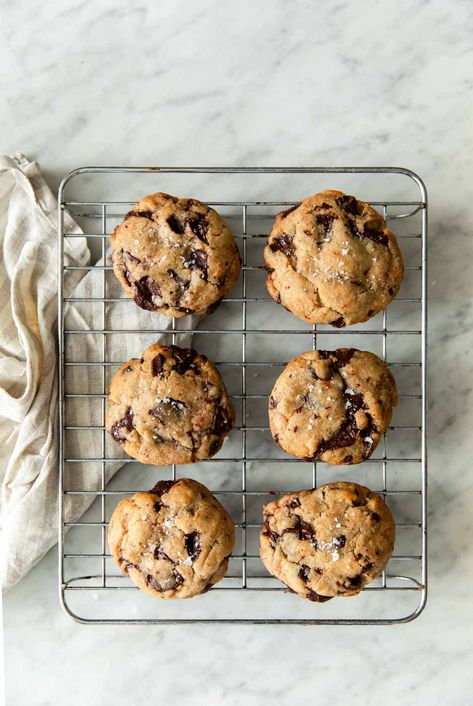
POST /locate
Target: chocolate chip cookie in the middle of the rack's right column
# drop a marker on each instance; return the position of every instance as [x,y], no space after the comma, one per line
[332,406]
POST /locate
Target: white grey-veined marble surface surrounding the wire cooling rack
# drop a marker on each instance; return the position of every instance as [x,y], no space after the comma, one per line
[212,83]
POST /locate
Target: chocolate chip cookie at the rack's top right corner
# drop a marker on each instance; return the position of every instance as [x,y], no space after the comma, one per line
[332,260]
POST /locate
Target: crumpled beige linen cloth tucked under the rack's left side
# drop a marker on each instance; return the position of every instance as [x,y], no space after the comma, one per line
[28,366]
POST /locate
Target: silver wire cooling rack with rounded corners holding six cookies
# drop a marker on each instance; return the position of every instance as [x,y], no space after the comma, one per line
[251,339]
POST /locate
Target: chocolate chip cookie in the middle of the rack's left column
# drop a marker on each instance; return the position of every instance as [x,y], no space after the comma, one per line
[170,406]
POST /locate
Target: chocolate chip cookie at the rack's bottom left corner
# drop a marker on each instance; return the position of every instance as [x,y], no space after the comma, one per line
[173,542]
